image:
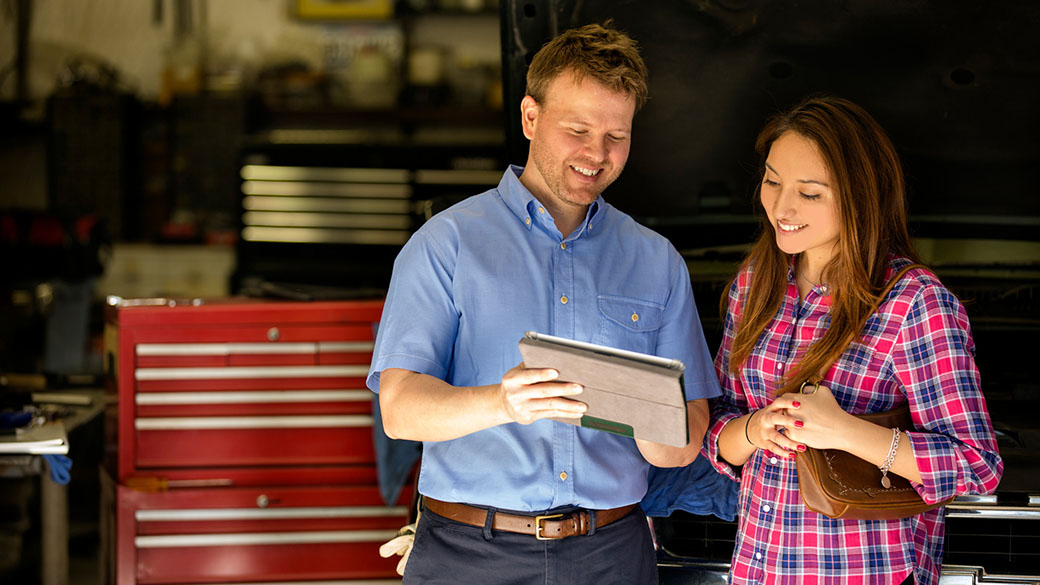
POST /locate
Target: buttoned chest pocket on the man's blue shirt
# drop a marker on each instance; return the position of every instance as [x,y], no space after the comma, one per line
[630,324]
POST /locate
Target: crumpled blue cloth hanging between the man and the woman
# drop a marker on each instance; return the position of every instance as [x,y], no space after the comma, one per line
[698,489]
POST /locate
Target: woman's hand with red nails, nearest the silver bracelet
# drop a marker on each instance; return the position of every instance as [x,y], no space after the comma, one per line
[820,422]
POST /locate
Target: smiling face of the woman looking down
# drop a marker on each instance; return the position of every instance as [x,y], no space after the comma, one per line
[800,201]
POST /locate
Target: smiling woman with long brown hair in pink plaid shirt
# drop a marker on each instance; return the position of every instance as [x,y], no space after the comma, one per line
[836,234]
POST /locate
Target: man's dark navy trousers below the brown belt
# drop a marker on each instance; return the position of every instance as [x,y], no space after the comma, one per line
[451,553]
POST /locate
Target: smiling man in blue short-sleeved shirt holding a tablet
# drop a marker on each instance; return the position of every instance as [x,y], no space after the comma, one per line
[541,252]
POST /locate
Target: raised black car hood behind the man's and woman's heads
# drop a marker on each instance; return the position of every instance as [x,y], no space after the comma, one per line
[956,84]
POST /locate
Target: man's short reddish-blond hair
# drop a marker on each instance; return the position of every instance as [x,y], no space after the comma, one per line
[593,52]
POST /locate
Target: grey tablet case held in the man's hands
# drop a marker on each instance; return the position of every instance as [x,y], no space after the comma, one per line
[629,394]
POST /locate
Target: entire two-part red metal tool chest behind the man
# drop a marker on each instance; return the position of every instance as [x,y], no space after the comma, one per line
[240,445]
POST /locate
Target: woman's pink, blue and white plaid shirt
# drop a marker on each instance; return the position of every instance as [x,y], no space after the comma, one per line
[918,347]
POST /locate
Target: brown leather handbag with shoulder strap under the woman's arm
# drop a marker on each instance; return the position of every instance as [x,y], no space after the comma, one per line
[840,486]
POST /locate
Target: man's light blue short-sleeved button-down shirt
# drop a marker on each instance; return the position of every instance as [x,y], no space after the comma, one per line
[475,278]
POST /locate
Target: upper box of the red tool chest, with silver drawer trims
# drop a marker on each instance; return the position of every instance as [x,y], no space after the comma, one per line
[238,384]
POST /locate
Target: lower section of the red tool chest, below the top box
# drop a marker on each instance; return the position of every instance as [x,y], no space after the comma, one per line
[252,536]
